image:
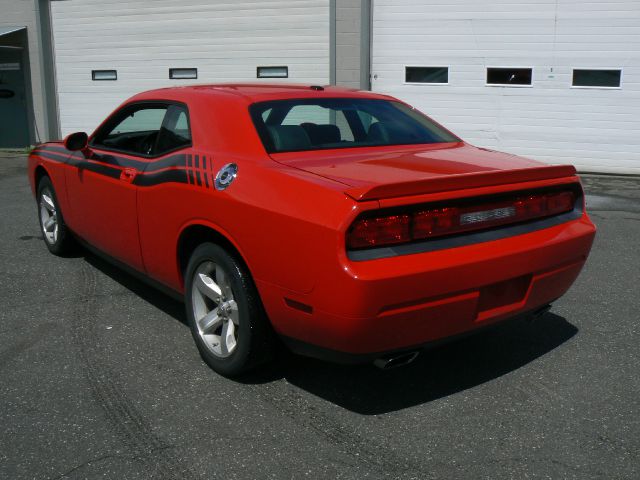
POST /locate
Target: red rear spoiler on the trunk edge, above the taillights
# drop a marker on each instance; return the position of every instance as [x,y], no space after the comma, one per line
[459,182]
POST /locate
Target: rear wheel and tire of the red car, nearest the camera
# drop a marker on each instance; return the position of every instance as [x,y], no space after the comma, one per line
[225,313]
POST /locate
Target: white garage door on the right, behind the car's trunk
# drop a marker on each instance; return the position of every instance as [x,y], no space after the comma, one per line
[594,125]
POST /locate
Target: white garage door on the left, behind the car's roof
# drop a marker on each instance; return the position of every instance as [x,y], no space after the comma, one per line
[142,40]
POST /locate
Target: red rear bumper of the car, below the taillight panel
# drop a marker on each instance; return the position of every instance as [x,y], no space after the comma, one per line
[394,304]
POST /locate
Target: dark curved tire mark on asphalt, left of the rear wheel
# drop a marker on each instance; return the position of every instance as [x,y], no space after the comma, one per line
[134,430]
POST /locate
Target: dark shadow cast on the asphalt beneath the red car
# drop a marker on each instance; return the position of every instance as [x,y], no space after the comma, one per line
[367,390]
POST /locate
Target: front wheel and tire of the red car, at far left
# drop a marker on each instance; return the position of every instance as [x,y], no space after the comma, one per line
[55,232]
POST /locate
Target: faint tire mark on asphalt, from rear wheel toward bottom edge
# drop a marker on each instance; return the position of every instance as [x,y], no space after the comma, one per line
[380,458]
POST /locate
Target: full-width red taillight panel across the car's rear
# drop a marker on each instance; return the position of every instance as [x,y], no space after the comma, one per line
[424,223]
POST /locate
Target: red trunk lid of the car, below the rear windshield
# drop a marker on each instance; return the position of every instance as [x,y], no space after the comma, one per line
[376,173]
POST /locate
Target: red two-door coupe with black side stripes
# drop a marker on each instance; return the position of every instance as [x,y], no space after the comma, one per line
[346,223]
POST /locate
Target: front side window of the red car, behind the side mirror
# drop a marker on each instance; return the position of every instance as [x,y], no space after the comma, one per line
[135,130]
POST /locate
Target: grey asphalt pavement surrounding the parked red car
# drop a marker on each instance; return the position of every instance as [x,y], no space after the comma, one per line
[99,378]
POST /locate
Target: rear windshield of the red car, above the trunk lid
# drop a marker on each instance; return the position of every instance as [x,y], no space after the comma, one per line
[316,124]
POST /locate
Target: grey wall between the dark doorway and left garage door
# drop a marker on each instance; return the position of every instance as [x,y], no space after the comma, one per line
[26,13]
